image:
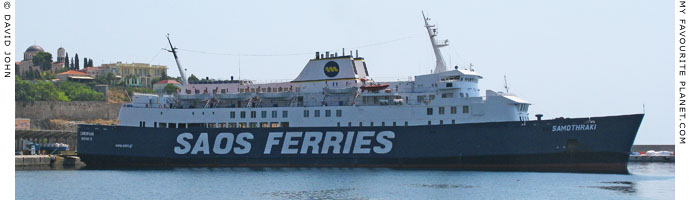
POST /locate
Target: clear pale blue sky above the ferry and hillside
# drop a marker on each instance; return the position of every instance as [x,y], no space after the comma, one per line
[568,58]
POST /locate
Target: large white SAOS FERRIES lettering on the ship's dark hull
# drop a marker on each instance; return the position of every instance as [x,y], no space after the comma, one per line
[333,142]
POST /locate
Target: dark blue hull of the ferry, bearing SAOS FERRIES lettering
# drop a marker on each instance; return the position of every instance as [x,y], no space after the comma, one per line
[598,145]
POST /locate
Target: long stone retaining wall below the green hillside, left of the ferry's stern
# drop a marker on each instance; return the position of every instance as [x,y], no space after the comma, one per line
[73,111]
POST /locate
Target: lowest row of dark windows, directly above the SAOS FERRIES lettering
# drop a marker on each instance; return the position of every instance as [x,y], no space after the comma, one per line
[220,125]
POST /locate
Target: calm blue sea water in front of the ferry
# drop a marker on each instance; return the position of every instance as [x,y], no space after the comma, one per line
[647,181]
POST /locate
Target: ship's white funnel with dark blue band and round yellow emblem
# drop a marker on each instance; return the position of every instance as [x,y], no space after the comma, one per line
[331,68]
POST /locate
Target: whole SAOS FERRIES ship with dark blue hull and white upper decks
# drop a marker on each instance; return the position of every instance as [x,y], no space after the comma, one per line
[333,114]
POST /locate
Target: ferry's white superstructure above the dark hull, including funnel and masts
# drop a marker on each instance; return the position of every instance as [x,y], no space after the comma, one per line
[330,91]
